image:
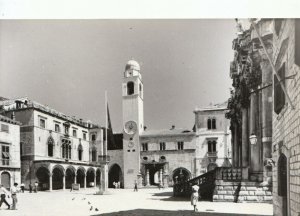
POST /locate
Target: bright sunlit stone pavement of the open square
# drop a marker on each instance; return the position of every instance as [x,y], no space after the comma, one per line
[125,202]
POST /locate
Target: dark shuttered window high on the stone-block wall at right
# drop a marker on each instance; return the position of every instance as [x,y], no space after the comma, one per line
[279,97]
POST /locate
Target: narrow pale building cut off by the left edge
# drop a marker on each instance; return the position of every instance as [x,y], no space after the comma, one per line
[10,163]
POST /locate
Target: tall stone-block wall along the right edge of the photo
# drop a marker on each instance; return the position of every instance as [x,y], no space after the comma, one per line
[286,121]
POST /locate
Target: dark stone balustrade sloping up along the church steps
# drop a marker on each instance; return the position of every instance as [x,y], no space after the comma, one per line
[207,181]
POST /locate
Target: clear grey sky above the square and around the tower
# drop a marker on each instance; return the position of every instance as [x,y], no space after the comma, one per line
[68,65]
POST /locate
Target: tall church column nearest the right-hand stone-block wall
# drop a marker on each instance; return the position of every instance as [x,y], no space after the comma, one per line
[267,111]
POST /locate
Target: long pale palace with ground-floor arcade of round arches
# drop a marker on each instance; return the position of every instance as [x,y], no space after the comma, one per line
[56,150]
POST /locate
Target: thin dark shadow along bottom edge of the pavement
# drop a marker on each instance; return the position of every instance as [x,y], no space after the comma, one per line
[151,212]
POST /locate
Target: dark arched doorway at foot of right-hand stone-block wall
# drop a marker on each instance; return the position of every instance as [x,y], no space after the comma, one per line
[282,183]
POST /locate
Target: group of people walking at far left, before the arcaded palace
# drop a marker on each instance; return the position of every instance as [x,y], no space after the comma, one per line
[4,194]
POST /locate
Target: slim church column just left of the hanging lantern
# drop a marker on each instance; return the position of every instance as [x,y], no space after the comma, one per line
[245,143]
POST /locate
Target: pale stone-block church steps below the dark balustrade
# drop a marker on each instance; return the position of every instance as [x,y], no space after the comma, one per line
[243,191]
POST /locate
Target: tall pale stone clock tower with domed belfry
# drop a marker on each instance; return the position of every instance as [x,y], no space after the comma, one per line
[133,122]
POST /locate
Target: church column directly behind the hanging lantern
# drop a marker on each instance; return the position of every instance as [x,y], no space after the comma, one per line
[255,166]
